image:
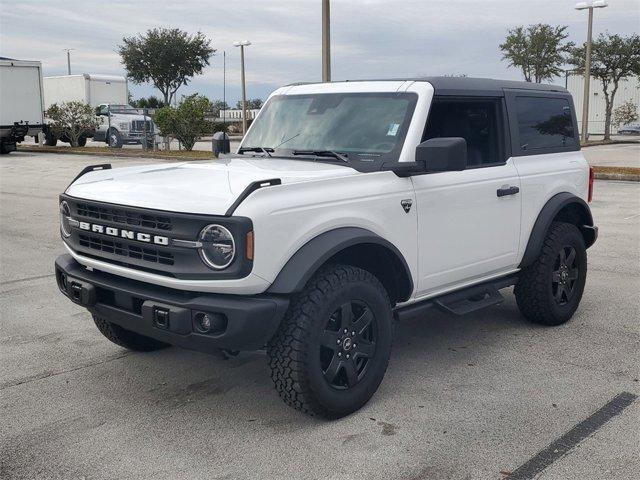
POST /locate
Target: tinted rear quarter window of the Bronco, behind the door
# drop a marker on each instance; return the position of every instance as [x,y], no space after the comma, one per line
[544,123]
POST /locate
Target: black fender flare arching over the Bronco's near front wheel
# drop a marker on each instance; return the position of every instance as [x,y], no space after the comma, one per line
[353,246]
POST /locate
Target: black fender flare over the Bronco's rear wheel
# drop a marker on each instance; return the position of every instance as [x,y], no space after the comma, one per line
[584,221]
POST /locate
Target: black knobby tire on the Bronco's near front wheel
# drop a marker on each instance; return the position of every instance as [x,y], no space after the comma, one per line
[295,350]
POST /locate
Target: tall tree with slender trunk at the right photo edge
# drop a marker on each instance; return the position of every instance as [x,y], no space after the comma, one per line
[612,58]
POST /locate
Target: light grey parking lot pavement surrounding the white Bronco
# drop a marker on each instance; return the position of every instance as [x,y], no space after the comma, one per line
[464,397]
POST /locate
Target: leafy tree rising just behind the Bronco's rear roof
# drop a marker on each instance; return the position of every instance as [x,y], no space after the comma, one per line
[538,50]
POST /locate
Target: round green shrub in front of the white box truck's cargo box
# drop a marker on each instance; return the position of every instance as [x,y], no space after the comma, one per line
[72,121]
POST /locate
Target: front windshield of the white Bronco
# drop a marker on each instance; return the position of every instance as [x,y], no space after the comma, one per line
[364,126]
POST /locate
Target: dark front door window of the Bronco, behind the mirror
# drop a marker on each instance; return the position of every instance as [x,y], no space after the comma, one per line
[477,121]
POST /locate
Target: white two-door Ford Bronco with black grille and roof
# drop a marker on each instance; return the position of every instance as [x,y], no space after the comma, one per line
[347,205]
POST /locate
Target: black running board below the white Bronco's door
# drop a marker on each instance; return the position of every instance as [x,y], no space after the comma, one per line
[463,301]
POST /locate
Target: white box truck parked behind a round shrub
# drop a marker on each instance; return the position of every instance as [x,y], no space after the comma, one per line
[108,94]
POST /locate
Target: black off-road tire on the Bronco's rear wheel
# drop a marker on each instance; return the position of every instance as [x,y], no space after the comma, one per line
[535,288]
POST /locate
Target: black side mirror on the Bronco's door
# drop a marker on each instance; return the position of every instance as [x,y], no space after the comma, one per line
[447,154]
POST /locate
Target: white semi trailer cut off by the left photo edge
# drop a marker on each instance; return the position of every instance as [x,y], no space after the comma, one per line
[21,104]
